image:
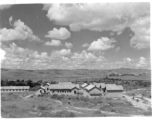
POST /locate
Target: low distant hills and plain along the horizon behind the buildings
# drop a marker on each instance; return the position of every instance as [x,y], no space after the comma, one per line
[76,74]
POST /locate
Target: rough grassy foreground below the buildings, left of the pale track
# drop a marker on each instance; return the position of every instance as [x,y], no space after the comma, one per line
[17,105]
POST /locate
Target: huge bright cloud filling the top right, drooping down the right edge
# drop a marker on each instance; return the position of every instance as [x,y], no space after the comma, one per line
[105,16]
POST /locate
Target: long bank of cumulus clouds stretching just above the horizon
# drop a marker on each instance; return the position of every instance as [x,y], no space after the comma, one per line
[24,58]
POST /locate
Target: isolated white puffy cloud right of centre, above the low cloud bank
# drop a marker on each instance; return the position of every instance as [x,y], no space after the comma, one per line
[102,43]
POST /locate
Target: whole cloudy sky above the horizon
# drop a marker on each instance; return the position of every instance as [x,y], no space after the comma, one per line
[75,36]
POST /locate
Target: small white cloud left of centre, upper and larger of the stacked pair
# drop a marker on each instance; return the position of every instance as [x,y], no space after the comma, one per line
[61,33]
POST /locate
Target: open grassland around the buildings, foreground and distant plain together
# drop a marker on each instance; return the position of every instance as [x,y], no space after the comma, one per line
[18,105]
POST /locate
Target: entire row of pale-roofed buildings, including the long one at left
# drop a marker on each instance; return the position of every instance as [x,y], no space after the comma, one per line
[90,90]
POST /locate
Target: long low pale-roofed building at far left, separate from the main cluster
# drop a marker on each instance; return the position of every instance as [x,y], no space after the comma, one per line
[15,88]
